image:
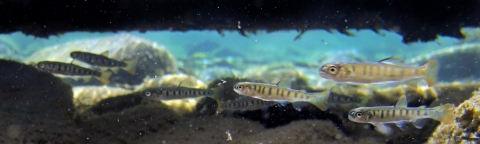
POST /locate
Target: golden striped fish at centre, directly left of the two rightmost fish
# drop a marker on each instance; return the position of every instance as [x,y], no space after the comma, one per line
[282,94]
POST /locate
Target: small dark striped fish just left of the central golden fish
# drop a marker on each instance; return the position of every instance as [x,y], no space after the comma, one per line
[170,93]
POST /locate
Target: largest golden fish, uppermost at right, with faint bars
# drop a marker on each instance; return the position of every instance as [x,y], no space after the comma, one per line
[382,72]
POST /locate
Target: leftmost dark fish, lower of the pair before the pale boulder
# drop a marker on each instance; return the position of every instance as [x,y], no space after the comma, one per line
[73,70]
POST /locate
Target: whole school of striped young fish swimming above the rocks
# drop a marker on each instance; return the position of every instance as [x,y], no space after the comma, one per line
[256,96]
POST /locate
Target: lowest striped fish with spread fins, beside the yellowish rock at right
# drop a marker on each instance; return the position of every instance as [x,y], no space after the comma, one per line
[400,114]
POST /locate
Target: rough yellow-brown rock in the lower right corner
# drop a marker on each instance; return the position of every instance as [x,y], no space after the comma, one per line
[465,129]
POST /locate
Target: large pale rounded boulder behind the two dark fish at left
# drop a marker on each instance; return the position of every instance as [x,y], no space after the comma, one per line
[151,59]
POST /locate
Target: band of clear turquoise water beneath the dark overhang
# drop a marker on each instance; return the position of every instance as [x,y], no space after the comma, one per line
[274,46]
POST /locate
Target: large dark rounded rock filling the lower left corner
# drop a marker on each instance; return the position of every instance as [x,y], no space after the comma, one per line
[36,107]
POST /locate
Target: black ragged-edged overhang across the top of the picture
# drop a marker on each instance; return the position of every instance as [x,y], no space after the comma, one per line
[414,20]
